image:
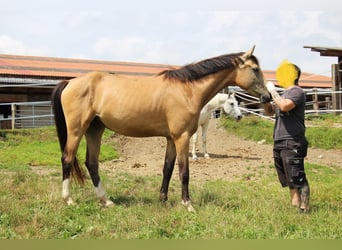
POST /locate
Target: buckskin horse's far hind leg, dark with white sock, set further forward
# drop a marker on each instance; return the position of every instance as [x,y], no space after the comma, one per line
[93,136]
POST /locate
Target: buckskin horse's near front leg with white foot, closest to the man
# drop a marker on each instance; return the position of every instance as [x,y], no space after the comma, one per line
[182,149]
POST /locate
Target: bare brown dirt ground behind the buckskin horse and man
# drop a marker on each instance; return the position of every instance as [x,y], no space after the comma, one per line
[231,157]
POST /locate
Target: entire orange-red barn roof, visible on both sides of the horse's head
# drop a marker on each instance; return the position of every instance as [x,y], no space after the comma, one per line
[16,66]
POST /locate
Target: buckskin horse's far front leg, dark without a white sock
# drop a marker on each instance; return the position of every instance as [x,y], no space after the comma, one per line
[169,163]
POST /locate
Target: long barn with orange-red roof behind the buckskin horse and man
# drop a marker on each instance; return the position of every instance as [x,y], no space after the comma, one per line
[26,83]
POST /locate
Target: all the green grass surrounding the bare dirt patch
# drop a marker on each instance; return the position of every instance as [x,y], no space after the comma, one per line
[31,206]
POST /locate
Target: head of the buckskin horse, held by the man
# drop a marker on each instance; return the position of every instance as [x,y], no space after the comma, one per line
[250,77]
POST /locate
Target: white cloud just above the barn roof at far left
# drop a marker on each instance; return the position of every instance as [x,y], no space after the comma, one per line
[9,45]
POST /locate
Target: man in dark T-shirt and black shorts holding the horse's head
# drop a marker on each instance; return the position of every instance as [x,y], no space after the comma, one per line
[290,144]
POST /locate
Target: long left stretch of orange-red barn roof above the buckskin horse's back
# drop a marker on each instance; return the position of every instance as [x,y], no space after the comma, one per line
[68,68]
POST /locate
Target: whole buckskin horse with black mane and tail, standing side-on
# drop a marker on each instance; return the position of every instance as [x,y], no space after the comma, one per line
[167,104]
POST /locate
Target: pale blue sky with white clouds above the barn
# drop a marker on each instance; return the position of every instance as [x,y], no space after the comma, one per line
[175,32]
